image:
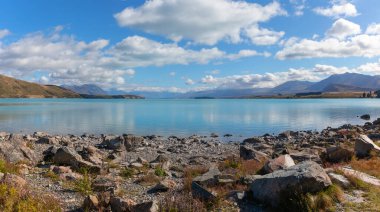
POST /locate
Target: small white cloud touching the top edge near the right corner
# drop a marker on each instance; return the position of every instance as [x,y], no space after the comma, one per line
[338,9]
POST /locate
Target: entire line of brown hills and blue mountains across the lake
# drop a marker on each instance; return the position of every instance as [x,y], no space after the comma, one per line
[347,82]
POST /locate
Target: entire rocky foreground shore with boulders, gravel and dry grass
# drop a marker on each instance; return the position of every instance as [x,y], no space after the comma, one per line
[291,171]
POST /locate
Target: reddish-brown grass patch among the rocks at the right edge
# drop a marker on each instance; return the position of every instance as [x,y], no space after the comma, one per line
[370,166]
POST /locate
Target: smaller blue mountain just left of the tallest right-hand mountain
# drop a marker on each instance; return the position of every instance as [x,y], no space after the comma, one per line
[292,87]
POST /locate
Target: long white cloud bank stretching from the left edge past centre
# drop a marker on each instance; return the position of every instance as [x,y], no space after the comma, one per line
[66,60]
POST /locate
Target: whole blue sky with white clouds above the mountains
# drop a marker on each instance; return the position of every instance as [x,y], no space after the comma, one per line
[187,45]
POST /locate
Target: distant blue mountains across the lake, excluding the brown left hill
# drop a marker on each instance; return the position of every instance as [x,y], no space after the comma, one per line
[347,82]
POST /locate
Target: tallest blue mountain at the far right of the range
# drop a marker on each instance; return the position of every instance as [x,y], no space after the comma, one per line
[349,79]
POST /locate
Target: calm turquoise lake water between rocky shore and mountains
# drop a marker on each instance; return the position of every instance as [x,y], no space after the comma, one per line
[181,117]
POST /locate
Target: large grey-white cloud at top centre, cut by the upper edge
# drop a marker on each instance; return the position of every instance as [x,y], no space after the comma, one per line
[205,22]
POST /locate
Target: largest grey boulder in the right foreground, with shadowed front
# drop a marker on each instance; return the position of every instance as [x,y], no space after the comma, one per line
[306,177]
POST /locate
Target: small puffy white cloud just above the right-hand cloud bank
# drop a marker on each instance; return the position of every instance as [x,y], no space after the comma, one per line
[343,28]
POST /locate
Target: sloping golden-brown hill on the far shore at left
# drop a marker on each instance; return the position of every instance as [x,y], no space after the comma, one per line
[13,88]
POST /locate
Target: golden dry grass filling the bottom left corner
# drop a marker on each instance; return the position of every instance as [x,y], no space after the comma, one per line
[12,199]
